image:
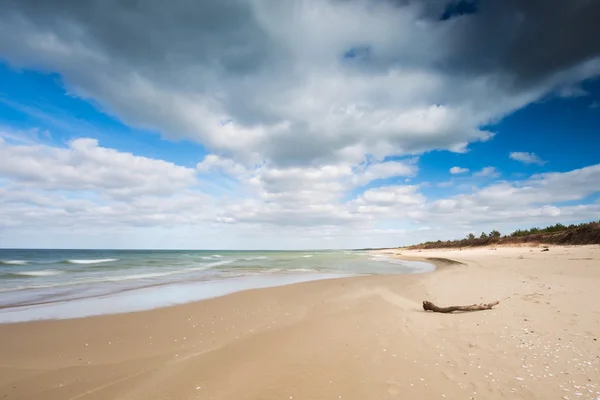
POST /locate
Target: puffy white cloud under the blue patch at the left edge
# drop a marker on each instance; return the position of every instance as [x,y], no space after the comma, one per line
[84,165]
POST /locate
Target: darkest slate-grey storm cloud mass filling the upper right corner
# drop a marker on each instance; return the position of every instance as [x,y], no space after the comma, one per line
[528,40]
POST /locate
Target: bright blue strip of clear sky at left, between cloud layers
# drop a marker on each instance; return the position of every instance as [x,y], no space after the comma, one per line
[37,100]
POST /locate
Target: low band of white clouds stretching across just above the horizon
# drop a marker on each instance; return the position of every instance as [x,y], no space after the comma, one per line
[311,205]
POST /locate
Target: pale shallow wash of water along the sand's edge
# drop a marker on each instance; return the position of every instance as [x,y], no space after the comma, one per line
[158,295]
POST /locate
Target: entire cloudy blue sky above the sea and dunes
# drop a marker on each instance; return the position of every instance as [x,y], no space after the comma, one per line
[301,124]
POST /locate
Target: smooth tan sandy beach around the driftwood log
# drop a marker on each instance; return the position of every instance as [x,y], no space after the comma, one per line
[351,338]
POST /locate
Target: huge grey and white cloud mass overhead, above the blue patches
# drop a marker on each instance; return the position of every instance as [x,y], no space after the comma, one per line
[304,83]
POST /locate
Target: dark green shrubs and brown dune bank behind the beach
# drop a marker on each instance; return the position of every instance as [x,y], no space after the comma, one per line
[584,233]
